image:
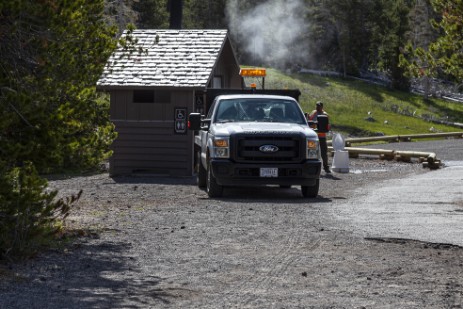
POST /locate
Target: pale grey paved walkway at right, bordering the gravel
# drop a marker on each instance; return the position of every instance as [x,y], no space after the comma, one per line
[426,207]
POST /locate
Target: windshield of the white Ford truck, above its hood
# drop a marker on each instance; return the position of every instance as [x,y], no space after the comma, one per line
[259,110]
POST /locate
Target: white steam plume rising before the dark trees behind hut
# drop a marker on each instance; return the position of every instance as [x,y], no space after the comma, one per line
[271,33]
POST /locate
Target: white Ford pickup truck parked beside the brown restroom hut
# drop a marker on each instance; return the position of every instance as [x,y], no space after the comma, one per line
[255,139]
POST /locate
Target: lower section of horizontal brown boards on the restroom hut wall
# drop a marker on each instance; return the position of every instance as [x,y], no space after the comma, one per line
[151,147]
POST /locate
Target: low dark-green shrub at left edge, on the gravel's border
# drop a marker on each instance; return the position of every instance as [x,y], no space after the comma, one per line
[30,214]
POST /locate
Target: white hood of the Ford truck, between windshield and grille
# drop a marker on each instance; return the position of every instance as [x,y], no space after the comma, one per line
[230,128]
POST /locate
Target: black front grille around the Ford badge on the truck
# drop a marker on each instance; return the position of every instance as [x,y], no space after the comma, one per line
[290,150]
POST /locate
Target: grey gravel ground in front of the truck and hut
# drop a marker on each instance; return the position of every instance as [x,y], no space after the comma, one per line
[148,242]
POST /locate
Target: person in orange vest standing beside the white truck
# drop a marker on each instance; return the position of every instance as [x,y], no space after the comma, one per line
[319,119]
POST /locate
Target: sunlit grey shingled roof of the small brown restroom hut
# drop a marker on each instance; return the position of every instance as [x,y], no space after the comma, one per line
[170,58]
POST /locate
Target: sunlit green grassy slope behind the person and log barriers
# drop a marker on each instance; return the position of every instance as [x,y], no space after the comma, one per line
[348,102]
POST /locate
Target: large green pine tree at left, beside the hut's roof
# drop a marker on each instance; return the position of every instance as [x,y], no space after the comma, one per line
[52,55]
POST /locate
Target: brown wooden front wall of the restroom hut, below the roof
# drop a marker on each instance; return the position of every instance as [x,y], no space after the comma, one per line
[146,142]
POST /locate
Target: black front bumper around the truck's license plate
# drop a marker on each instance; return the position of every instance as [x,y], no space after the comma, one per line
[228,173]
